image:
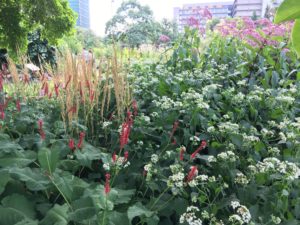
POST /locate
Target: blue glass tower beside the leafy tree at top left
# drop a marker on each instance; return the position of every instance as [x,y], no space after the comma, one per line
[82,8]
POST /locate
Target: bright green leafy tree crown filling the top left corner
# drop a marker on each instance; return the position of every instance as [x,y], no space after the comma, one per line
[53,18]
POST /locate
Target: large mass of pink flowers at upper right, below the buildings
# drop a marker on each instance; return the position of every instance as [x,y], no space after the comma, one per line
[256,33]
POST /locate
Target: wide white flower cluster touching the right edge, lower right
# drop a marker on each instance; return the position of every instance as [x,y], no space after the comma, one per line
[273,165]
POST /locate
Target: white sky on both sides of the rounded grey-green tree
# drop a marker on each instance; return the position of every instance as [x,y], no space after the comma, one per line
[102,10]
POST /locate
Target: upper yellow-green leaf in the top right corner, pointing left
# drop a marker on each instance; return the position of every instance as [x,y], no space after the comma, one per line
[288,10]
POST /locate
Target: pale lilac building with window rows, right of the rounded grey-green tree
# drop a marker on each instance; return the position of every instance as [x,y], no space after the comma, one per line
[197,11]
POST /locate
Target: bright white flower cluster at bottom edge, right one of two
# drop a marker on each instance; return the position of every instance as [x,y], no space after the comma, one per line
[243,214]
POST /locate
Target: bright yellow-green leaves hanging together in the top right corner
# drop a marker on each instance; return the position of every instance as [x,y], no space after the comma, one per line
[290,10]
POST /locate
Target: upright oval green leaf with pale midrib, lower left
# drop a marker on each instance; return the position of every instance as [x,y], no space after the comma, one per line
[48,159]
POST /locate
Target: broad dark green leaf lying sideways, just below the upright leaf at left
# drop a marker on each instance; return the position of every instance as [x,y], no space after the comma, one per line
[34,179]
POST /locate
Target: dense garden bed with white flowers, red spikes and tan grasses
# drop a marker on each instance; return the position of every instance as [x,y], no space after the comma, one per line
[208,136]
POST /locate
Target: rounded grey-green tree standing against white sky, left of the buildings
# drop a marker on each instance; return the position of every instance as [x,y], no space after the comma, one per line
[134,21]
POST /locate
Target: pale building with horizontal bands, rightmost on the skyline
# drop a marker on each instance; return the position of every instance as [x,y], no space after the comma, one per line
[249,7]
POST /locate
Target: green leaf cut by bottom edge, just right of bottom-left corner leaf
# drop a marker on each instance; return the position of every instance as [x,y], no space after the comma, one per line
[56,216]
